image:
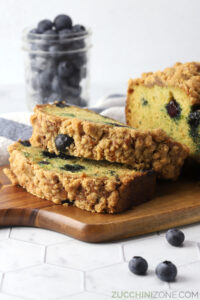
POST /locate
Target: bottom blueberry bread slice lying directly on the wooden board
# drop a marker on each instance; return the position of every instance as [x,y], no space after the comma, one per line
[90,185]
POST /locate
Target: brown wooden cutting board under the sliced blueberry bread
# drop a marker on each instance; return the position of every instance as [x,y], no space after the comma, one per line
[175,204]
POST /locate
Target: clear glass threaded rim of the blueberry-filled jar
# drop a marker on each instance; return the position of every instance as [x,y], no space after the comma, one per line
[36,39]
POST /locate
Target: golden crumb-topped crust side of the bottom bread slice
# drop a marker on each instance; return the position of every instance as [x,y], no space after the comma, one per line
[95,194]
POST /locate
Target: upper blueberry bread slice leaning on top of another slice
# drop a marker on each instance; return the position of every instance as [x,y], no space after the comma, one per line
[83,133]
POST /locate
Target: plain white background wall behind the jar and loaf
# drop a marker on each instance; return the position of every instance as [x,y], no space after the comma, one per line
[129,36]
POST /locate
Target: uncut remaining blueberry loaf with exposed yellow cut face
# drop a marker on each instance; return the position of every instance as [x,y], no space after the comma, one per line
[169,100]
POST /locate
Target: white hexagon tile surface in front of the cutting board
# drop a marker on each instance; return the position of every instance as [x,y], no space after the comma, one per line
[37,264]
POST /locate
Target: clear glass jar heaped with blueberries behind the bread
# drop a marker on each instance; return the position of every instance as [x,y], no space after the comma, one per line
[57,62]
